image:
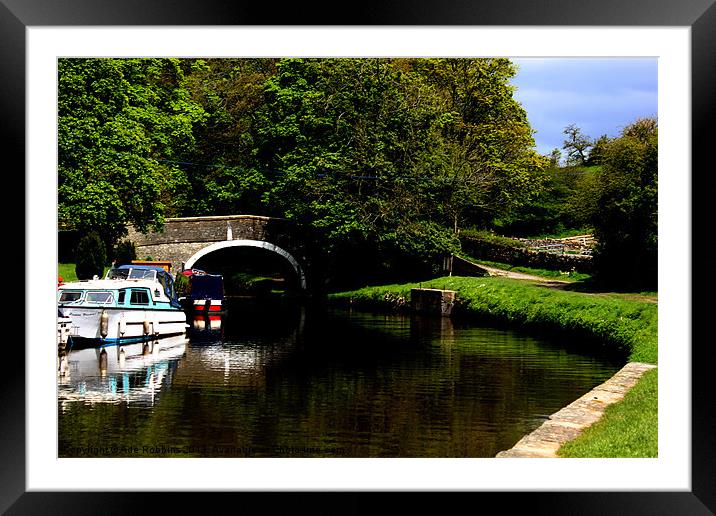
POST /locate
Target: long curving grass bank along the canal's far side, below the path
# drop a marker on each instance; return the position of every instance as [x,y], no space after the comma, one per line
[620,325]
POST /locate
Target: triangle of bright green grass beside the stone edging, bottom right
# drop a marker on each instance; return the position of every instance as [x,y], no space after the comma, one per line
[627,429]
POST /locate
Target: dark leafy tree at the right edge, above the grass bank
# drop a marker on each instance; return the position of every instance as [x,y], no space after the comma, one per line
[626,218]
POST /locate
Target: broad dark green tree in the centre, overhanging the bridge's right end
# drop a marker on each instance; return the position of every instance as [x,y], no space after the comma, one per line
[348,145]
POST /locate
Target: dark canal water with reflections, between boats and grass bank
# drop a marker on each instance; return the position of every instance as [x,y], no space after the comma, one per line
[289,381]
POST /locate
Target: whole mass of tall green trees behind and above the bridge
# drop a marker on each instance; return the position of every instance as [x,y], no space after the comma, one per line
[389,157]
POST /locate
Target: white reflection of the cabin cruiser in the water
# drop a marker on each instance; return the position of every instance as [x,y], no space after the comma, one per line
[132,373]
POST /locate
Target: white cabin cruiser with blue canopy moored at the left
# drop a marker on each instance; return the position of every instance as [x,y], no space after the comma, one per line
[131,304]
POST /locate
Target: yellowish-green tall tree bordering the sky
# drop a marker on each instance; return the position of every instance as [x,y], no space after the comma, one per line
[490,165]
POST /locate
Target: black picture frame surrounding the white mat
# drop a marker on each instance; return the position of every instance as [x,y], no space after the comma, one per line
[700,15]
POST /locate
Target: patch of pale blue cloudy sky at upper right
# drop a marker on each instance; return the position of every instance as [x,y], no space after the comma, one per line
[599,95]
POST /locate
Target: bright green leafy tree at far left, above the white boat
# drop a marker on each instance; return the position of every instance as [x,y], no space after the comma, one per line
[121,124]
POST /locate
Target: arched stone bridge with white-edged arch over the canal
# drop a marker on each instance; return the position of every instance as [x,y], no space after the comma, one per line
[184,241]
